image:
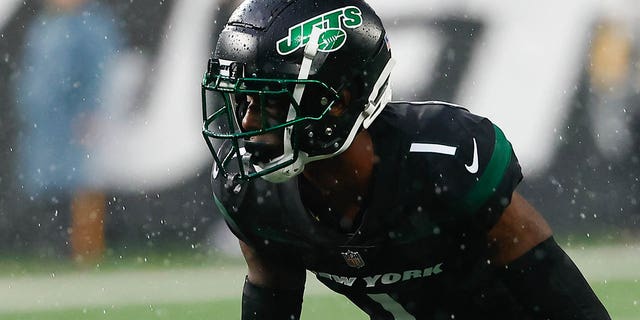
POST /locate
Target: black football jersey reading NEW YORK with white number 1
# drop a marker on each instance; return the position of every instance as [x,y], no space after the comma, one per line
[442,179]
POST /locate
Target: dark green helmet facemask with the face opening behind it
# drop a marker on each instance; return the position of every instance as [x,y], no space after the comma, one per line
[259,123]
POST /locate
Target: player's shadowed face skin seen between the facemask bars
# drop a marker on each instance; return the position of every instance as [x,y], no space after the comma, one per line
[263,112]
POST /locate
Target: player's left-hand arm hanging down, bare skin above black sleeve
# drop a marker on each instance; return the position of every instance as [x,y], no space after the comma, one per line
[273,290]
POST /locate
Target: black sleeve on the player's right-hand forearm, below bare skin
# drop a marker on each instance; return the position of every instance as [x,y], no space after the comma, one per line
[549,284]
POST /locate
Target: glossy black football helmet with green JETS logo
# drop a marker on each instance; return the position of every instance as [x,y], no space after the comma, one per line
[306,56]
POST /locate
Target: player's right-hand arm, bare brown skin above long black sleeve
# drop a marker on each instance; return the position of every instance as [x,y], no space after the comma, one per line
[537,270]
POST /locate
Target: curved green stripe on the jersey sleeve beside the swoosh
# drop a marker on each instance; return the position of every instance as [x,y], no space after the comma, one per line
[492,175]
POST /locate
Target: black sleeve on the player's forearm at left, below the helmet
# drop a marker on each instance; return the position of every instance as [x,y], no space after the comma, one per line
[259,303]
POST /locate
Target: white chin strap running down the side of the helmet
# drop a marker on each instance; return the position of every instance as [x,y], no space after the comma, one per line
[295,168]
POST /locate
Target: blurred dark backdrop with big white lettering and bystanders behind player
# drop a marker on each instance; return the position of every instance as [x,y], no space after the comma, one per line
[100,143]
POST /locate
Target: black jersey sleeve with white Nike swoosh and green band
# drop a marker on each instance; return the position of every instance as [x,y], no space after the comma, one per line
[472,170]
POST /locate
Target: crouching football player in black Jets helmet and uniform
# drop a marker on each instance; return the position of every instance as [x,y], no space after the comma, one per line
[411,216]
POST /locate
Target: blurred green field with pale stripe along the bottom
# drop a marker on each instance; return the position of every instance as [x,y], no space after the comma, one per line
[170,286]
